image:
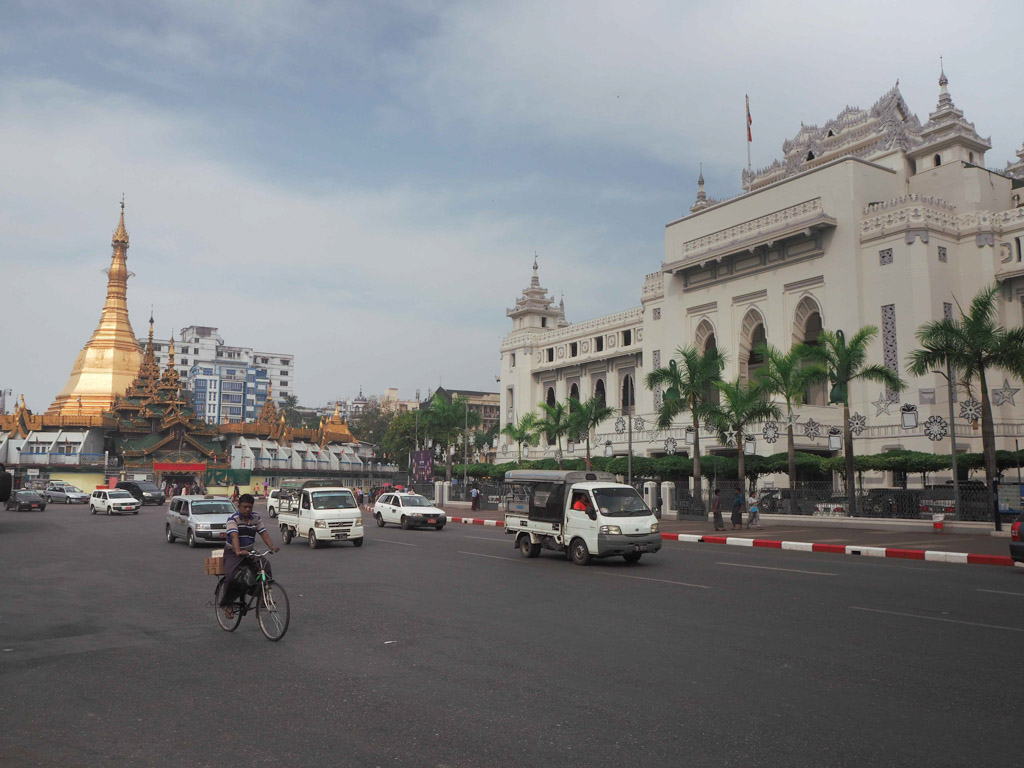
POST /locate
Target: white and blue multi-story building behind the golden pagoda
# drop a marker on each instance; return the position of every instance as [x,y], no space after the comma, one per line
[229,382]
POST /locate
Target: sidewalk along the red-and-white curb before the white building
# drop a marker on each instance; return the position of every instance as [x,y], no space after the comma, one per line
[911,535]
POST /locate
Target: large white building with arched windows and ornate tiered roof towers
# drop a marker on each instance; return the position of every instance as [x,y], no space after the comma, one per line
[874,219]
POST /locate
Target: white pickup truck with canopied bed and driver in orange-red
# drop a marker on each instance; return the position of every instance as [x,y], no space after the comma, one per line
[584,515]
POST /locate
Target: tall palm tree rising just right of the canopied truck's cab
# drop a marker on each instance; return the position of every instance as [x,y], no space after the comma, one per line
[690,383]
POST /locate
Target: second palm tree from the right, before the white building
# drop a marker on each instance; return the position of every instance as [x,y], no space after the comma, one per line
[845,362]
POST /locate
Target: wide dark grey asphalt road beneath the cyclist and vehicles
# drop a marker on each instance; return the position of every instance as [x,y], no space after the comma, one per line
[446,649]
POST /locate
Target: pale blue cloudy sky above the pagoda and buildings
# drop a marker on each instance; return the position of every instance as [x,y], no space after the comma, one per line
[365,186]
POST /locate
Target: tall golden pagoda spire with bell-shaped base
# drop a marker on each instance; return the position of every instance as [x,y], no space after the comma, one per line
[109,363]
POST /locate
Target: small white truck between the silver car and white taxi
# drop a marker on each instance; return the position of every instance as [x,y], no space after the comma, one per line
[321,515]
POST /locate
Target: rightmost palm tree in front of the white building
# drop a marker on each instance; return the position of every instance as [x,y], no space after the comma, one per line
[971,347]
